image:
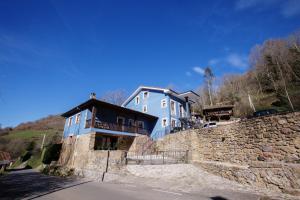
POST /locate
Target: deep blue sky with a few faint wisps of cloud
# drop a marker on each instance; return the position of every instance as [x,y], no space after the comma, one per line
[54,53]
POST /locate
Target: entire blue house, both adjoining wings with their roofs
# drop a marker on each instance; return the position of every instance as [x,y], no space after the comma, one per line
[148,111]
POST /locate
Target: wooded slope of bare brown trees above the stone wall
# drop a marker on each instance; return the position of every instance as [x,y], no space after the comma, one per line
[272,81]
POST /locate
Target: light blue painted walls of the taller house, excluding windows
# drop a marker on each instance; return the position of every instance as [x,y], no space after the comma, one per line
[153,103]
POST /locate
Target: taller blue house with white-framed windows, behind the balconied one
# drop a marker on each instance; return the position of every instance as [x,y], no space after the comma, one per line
[171,108]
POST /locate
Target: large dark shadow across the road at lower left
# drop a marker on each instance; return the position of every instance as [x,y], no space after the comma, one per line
[30,184]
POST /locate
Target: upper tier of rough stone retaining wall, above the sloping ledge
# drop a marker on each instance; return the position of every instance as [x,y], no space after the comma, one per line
[272,138]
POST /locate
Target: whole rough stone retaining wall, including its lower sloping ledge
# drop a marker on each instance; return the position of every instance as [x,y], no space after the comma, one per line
[262,151]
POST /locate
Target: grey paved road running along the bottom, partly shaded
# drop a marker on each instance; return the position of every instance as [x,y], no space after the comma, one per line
[29,184]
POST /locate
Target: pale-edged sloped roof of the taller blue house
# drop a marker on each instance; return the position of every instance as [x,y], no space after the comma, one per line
[191,94]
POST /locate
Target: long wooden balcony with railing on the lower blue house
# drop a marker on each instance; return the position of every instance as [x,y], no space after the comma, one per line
[116,127]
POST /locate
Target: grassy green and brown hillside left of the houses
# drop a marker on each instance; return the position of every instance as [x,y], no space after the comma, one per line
[16,140]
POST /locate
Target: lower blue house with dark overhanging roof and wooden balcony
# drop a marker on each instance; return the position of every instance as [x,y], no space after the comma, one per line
[110,123]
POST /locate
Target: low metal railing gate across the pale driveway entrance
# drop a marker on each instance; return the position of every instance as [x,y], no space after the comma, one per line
[157,158]
